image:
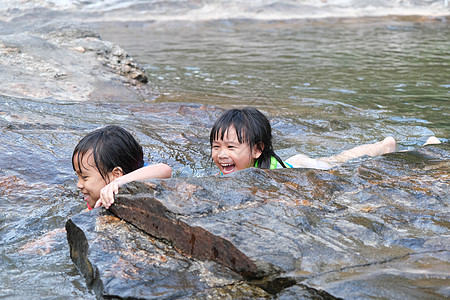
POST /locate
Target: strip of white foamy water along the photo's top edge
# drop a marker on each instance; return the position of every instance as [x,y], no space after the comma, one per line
[190,10]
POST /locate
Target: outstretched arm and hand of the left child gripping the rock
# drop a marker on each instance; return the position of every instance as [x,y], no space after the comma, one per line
[153,171]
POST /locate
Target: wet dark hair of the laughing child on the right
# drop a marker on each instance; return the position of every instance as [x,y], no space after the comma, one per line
[252,127]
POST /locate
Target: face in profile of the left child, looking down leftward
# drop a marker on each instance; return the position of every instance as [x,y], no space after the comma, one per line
[90,181]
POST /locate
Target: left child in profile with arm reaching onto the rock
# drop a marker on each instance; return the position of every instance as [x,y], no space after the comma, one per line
[108,158]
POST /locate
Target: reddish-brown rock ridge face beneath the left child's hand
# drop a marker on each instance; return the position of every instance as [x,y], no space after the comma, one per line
[192,241]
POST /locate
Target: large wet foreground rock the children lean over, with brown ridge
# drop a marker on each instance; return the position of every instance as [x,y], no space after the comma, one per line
[350,232]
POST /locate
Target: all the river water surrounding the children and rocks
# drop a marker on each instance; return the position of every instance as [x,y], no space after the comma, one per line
[327,84]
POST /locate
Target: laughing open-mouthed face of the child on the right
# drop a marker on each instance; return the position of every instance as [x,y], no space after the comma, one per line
[229,155]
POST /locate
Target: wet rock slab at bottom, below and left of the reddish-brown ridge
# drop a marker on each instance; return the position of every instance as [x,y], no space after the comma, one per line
[120,261]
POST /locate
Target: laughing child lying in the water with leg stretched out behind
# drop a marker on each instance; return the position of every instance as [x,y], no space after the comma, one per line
[242,138]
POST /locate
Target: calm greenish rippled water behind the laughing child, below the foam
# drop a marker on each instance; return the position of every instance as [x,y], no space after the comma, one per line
[375,77]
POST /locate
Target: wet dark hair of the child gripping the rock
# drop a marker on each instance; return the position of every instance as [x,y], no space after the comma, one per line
[111,146]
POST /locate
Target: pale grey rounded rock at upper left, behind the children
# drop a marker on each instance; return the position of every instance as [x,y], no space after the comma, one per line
[67,61]
